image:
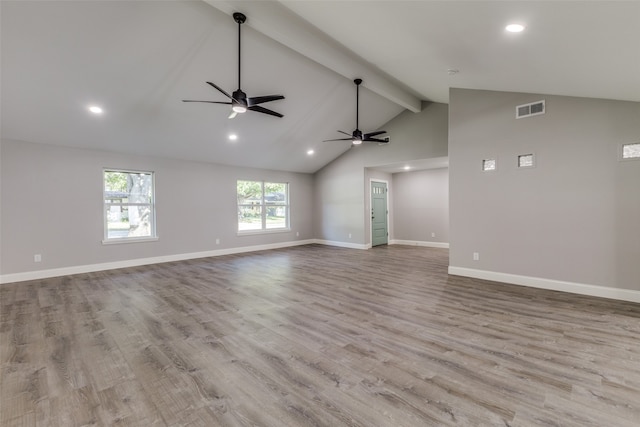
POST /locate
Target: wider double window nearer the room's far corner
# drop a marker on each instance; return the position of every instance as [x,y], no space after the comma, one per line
[262,206]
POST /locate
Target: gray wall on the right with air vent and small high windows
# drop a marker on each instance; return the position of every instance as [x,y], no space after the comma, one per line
[574,217]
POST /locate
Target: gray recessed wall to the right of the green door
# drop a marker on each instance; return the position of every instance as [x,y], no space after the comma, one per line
[421,205]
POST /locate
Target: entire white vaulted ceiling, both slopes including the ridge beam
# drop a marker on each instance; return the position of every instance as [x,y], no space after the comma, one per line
[139,59]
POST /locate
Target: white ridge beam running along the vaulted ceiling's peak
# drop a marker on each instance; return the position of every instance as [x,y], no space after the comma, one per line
[279,23]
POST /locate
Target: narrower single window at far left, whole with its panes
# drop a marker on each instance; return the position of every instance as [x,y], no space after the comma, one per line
[129,212]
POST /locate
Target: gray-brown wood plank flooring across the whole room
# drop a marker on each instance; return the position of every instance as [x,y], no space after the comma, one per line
[313,336]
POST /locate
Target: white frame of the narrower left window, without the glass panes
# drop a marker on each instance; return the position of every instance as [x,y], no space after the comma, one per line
[152,207]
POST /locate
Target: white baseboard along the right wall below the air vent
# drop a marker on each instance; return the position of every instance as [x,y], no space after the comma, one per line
[555,285]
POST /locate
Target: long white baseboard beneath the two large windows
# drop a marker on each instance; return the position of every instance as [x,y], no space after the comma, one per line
[66,271]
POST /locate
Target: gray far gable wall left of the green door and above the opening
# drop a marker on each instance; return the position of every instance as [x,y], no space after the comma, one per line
[341,187]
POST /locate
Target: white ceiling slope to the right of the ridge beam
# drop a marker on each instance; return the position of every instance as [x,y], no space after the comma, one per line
[574,48]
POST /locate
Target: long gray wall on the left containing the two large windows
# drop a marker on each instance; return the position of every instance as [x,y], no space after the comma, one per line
[52,205]
